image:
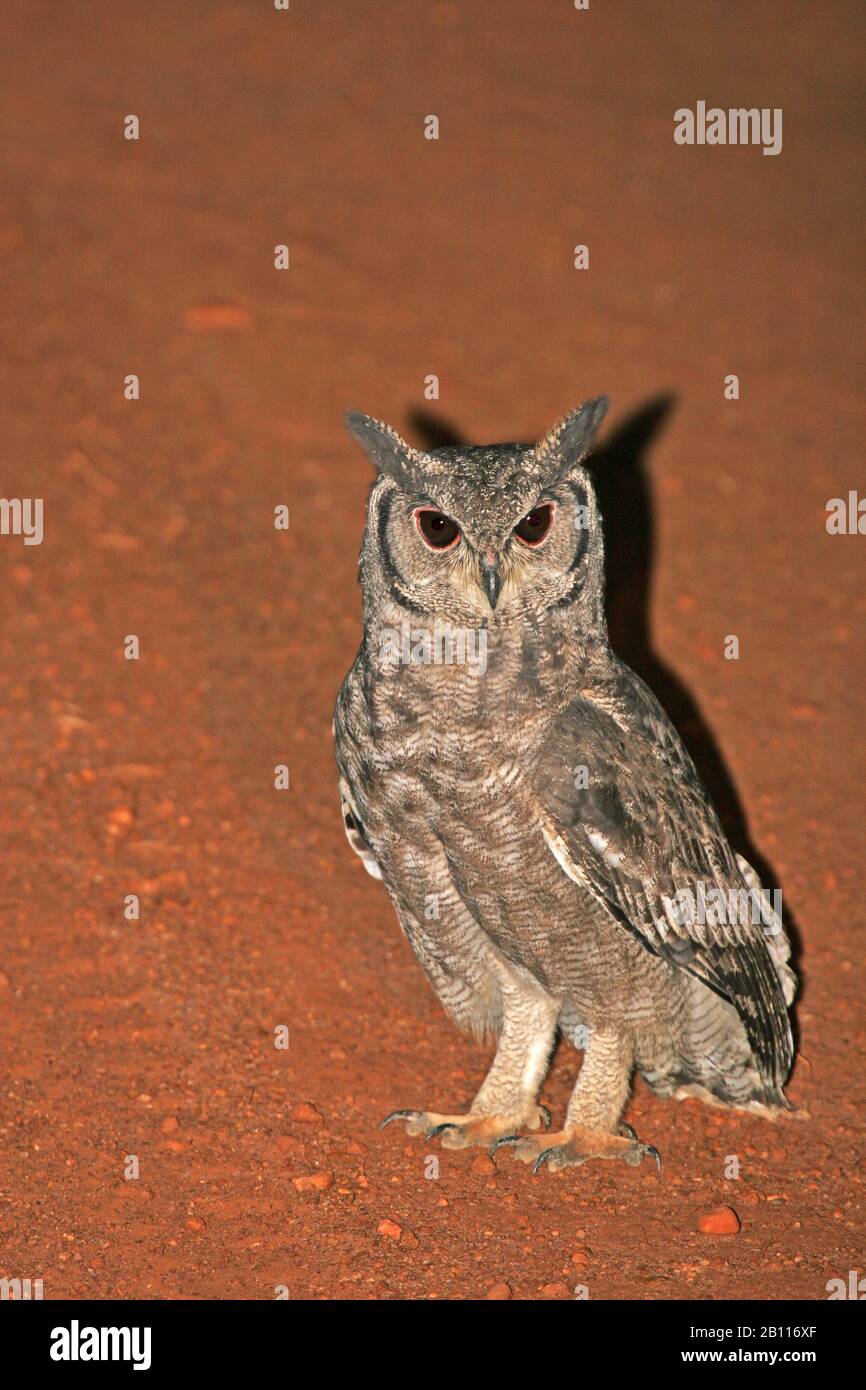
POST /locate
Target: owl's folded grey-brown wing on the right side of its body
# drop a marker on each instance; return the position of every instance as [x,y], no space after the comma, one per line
[625,815]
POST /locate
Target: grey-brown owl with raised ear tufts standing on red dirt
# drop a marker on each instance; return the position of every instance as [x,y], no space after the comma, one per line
[533,814]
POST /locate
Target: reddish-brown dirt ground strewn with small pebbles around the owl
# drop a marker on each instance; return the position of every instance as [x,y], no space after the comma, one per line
[408,258]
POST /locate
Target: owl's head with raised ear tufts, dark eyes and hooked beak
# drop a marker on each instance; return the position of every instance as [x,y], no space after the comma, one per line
[469,533]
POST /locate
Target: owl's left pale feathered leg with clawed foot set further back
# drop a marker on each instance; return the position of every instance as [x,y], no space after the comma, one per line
[508,1099]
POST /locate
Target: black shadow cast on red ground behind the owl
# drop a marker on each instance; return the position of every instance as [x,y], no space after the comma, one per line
[622,484]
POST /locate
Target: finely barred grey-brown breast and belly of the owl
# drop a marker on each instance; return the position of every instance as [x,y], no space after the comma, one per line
[446,794]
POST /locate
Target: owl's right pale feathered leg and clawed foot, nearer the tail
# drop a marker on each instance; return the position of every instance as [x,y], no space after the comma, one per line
[593,1121]
